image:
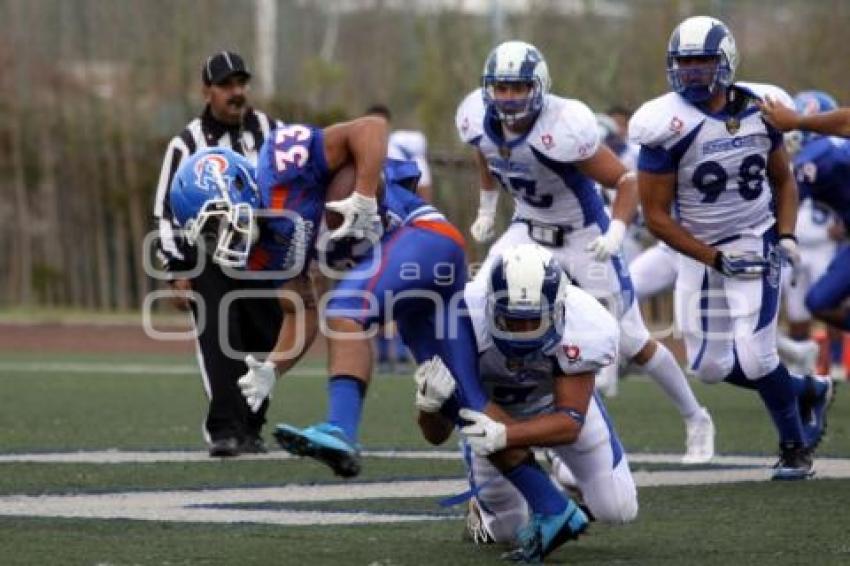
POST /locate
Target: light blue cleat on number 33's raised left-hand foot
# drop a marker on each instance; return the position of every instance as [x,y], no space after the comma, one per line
[324,442]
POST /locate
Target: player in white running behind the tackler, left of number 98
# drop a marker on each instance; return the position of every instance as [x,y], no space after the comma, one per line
[546,152]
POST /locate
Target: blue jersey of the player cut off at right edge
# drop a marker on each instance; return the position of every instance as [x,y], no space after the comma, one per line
[822,169]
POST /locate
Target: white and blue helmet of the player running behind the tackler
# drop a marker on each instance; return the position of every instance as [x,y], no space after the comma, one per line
[515,62]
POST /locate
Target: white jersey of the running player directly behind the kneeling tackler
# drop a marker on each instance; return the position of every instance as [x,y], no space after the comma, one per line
[538,168]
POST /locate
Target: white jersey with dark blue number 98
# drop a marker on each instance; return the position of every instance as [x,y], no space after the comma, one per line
[720,164]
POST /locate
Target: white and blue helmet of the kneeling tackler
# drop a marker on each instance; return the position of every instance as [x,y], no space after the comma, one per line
[525,301]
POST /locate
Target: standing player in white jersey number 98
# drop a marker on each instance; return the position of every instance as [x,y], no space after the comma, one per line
[706,150]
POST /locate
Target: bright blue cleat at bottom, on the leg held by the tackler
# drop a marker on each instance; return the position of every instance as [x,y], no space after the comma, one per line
[545,533]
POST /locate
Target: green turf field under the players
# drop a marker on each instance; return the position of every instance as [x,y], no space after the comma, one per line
[136,408]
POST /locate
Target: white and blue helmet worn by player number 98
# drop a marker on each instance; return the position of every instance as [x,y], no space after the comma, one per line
[701,37]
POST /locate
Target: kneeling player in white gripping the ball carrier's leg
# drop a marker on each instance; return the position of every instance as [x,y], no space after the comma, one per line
[541,342]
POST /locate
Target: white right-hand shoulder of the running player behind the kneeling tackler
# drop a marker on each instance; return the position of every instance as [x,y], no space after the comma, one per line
[565,131]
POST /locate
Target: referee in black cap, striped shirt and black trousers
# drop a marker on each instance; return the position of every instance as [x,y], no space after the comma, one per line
[230,427]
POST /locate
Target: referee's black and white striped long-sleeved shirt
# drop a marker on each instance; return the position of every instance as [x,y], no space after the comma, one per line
[204,131]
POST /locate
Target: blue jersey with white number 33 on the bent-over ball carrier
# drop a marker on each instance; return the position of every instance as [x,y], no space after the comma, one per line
[292,176]
